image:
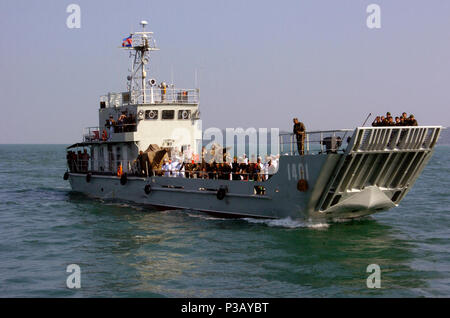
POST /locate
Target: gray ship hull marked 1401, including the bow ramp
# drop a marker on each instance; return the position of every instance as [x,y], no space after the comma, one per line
[372,175]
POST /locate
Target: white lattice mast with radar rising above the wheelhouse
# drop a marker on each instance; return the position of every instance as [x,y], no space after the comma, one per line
[141,45]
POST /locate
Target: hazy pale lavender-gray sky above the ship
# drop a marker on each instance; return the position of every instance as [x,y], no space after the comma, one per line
[259,63]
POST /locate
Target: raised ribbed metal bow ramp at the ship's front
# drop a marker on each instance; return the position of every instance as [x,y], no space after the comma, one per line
[378,168]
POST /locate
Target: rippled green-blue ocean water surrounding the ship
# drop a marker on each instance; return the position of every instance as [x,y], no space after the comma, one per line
[131,251]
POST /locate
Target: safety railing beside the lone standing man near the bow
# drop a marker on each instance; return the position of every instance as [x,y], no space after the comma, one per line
[315,142]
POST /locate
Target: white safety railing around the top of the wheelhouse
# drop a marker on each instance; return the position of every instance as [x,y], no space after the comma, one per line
[153,95]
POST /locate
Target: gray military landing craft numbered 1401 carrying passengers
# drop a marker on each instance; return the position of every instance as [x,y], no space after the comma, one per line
[336,178]
